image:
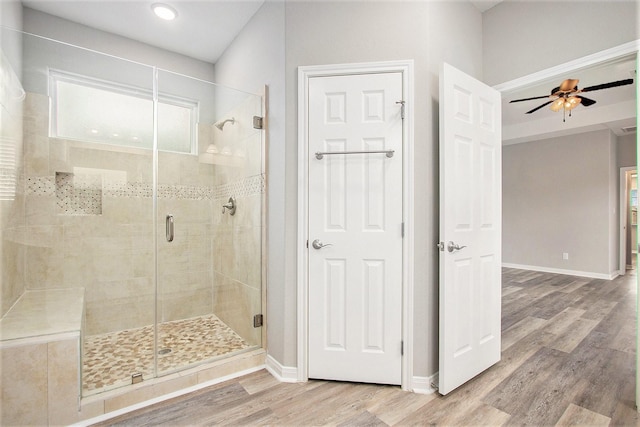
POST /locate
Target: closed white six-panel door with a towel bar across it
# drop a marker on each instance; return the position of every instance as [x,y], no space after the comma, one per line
[355,227]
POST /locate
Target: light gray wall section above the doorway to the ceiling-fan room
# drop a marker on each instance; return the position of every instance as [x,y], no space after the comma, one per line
[522,37]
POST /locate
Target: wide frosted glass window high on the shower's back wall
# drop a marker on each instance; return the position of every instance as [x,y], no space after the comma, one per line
[97,111]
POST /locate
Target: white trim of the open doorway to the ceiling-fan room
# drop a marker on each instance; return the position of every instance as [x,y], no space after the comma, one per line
[629,48]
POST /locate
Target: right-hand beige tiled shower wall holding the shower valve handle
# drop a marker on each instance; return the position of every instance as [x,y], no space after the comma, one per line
[237,245]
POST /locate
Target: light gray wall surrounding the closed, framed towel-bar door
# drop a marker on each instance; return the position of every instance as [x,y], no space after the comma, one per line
[349,32]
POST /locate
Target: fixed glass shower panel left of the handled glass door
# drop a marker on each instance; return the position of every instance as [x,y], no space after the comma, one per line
[89,226]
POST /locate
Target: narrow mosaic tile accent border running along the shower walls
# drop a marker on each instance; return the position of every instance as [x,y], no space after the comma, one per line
[47,186]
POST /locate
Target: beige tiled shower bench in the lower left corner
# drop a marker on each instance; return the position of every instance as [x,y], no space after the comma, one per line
[40,338]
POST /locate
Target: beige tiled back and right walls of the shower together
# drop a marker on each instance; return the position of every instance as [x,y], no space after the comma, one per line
[88,216]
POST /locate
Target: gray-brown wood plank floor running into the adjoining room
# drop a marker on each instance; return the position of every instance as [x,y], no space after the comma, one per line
[568,358]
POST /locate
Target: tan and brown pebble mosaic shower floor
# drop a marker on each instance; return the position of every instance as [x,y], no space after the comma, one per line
[110,359]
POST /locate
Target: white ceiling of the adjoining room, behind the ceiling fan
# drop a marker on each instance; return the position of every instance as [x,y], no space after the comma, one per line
[615,108]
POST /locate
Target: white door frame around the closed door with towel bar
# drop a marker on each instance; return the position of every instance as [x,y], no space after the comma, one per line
[304,74]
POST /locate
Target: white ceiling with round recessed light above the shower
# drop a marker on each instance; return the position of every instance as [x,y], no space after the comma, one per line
[202,30]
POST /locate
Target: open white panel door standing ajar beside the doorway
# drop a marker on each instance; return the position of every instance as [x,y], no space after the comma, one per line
[470,228]
